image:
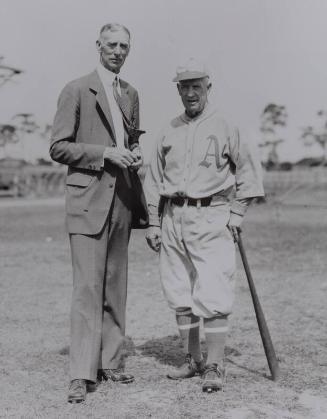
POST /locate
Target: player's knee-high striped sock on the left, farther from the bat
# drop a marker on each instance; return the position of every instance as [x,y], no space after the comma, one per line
[189,329]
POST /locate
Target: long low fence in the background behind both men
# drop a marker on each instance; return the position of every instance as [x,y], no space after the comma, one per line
[297,187]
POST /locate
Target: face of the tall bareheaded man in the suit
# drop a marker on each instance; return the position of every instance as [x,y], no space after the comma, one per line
[113,48]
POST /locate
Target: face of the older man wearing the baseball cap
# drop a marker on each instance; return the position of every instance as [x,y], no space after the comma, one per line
[194,94]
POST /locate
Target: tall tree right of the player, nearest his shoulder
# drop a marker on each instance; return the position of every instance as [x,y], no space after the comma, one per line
[272,117]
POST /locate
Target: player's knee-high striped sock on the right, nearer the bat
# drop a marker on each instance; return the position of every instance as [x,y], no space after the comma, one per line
[216,330]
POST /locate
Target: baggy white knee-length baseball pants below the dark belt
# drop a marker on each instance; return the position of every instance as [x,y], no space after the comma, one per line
[197,258]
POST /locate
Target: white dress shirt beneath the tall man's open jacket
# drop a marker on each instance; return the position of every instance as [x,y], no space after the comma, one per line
[107,78]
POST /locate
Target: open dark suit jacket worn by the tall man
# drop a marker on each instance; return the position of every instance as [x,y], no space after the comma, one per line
[82,128]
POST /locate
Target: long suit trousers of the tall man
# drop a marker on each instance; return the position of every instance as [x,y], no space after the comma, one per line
[100,290]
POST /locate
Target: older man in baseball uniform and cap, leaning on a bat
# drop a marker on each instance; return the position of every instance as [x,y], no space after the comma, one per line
[198,160]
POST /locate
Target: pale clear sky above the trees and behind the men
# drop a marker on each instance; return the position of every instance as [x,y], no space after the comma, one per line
[257,51]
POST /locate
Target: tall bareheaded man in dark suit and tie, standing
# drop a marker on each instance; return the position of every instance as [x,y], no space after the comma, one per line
[95,133]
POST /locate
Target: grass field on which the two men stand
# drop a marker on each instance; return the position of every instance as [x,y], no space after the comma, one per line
[287,250]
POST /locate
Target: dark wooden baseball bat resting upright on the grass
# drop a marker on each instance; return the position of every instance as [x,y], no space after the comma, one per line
[262,324]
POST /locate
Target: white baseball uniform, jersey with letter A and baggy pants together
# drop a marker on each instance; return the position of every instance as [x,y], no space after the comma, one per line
[195,159]
